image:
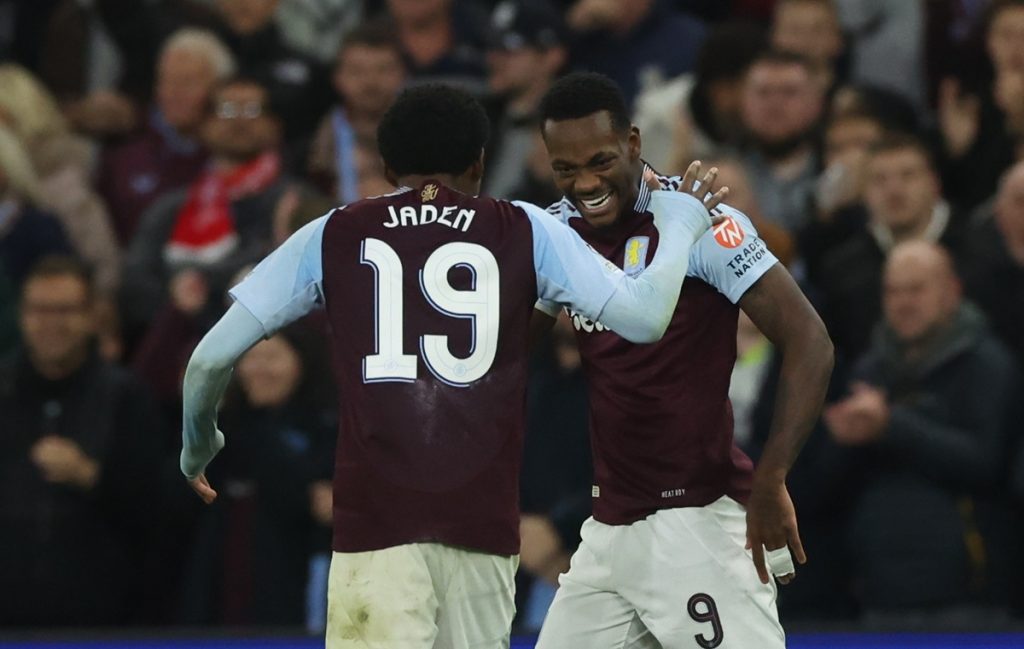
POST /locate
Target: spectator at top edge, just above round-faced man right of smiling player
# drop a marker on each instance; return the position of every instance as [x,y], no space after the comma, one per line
[810,28]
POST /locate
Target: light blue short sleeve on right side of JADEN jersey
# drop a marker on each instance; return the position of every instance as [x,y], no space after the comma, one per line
[569,272]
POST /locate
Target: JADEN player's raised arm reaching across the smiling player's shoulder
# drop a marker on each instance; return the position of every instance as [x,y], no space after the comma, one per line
[638,309]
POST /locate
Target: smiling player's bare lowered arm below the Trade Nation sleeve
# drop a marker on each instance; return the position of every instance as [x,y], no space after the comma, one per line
[783,314]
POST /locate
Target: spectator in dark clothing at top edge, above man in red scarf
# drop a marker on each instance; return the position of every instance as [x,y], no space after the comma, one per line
[297,86]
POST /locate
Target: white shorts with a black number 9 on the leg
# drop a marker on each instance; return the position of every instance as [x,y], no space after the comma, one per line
[679,579]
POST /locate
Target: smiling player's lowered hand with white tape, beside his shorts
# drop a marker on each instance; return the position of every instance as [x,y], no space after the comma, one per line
[772,526]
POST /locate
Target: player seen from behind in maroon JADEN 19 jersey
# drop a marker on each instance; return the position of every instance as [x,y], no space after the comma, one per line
[430,292]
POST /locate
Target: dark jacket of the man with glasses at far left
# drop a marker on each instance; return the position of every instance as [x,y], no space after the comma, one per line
[69,557]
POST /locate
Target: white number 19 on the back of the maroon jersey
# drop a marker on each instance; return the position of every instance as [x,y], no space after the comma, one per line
[481,306]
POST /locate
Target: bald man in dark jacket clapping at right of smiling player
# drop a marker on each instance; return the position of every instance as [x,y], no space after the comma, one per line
[931,418]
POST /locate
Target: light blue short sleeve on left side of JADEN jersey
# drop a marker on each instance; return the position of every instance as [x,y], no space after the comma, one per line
[289,283]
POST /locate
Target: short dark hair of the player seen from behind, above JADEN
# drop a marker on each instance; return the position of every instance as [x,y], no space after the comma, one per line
[433,129]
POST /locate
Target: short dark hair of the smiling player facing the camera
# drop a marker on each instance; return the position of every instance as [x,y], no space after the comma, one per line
[581,94]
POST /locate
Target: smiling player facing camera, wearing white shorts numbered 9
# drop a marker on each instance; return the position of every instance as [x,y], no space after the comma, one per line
[666,561]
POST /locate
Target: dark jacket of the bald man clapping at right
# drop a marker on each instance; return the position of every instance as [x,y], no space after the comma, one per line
[931,527]
